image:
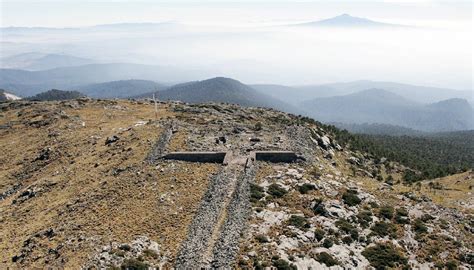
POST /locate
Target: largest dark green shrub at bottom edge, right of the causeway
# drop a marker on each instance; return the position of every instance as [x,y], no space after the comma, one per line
[384,255]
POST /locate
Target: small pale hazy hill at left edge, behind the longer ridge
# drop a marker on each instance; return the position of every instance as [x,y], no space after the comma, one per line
[41,61]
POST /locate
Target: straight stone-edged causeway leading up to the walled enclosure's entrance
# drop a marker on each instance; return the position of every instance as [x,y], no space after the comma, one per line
[214,234]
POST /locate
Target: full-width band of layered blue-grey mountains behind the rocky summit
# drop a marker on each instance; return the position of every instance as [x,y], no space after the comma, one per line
[408,106]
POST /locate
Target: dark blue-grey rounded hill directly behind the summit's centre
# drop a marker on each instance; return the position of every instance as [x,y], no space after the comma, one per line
[223,90]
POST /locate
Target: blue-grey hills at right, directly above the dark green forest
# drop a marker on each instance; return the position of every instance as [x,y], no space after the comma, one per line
[383,107]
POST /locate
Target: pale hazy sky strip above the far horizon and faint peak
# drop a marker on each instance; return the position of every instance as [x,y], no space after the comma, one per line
[62,13]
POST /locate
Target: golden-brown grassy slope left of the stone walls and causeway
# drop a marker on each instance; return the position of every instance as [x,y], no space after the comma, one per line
[87,192]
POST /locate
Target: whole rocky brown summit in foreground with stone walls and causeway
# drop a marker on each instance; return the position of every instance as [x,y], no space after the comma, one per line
[104,184]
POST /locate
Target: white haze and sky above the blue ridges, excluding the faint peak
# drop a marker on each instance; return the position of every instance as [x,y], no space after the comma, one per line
[256,43]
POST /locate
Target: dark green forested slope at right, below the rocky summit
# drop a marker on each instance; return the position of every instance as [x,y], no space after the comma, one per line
[434,155]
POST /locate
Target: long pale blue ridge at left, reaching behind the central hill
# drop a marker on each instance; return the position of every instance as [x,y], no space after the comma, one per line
[27,83]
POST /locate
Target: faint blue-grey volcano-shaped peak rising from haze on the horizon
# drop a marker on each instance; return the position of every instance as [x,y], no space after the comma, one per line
[346,20]
